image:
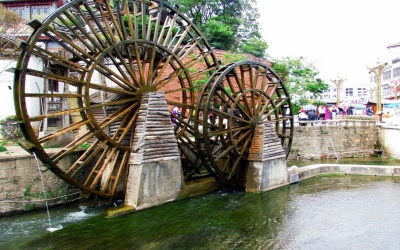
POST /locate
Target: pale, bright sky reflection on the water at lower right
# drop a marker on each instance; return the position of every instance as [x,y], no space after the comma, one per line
[343,213]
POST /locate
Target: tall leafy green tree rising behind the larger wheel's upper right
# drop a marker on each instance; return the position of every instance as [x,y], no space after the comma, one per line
[227,24]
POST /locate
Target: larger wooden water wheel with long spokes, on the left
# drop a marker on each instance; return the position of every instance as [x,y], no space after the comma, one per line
[81,93]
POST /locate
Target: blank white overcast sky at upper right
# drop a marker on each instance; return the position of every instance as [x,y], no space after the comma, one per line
[340,37]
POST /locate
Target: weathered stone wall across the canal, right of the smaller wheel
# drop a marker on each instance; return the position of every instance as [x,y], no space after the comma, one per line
[349,139]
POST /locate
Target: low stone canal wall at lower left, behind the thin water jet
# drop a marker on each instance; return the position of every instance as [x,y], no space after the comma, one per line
[21,186]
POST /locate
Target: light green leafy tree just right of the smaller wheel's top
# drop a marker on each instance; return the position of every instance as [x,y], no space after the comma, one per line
[299,78]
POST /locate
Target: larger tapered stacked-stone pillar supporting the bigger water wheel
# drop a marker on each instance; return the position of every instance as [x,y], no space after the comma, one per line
[155,172]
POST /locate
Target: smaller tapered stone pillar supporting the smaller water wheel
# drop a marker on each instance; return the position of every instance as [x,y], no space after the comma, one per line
[267,160]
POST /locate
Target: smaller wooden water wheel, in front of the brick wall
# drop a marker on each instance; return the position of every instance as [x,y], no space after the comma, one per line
[237,98]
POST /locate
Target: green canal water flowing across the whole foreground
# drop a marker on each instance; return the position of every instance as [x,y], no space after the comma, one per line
[325,212]
